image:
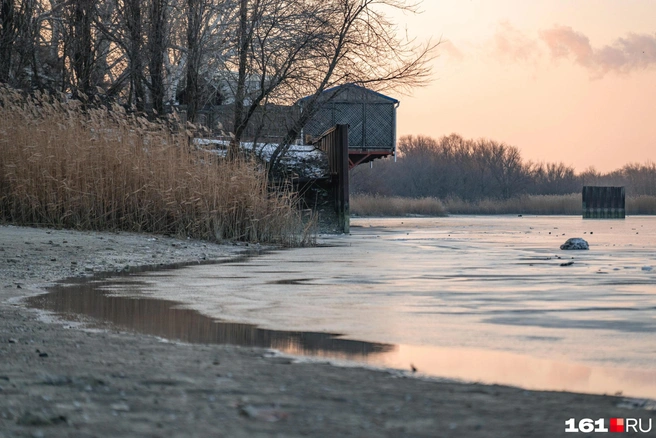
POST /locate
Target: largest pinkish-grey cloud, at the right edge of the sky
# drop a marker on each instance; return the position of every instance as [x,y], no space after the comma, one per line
[624,55]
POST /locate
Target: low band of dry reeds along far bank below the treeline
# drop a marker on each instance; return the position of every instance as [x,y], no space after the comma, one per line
[368,205]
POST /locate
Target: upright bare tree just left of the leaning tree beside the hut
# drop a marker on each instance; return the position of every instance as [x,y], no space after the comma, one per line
[276,41]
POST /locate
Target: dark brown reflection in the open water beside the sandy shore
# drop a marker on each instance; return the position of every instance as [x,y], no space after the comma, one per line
[167,319]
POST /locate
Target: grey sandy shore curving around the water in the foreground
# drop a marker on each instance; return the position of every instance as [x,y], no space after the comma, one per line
[57,379]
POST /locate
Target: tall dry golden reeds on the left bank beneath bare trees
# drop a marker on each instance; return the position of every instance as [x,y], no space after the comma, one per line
[97,169]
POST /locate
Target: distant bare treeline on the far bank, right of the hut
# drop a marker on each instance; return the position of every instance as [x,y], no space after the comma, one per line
[473,170]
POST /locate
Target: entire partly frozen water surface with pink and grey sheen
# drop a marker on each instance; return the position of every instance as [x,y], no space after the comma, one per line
[474,298]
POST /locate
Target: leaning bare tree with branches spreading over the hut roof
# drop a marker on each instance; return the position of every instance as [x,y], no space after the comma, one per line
[361,46]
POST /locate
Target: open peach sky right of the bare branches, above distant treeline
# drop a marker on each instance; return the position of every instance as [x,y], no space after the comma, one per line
[570,81]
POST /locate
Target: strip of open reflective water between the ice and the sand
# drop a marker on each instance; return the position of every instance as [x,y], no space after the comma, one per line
[167,319]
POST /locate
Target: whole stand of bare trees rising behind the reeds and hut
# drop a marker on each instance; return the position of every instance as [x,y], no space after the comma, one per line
[150,53]
